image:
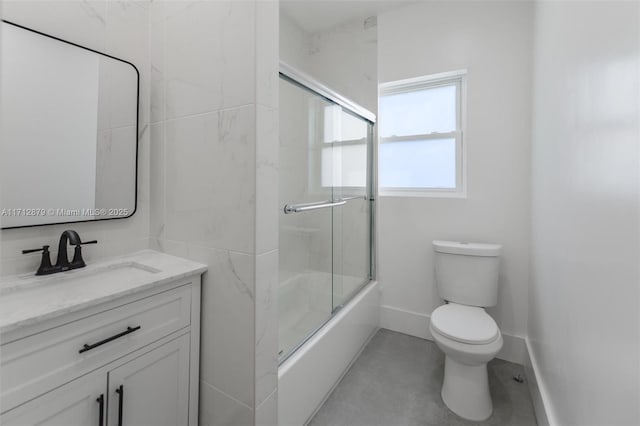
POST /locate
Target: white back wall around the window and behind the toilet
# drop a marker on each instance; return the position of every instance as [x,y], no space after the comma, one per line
[492,40]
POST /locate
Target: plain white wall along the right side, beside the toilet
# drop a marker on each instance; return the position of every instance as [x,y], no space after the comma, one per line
[584,324]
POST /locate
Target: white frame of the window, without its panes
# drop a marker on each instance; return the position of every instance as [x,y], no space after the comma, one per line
[458,78]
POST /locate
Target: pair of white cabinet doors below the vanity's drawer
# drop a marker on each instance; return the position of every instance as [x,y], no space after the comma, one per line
[152,389]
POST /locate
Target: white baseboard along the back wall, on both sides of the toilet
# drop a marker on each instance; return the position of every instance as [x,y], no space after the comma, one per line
[417,324]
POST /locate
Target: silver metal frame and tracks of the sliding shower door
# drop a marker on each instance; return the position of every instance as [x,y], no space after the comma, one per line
[309,83]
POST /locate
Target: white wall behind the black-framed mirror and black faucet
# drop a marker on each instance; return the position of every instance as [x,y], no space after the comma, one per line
[119,28]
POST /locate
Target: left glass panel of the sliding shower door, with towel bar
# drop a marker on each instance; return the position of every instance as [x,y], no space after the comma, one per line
[306,257]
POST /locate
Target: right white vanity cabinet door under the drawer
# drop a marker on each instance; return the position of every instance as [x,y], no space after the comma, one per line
[153,389]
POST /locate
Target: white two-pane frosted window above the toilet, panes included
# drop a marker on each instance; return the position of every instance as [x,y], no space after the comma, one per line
[421,140]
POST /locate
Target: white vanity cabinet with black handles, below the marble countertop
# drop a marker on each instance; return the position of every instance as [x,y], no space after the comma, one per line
[129,361]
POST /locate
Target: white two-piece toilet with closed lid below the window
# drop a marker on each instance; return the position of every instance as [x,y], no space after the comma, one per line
[467,280]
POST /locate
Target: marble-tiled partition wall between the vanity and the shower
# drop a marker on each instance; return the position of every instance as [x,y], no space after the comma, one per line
[214,155]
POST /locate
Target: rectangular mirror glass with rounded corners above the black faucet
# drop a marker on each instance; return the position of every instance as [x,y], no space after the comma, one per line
[68,131]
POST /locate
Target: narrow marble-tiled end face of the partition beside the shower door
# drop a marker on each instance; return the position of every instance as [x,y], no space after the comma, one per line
[267,211]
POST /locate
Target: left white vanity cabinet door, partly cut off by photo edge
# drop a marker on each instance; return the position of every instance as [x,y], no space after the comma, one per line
[81,402]
